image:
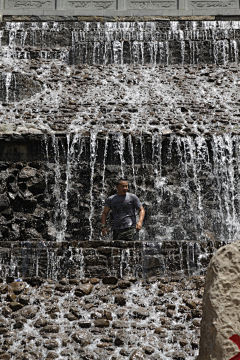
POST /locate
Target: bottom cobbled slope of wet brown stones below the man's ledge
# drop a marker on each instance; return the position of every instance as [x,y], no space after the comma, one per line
[106,321]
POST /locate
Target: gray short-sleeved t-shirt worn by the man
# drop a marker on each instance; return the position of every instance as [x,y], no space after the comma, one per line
[123,208]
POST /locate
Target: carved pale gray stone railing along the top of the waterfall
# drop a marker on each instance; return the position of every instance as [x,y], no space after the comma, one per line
[118,8]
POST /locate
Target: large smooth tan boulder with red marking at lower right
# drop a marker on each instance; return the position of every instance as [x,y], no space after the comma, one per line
[221,305]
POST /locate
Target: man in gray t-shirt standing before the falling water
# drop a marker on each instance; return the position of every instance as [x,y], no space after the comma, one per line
[123,206]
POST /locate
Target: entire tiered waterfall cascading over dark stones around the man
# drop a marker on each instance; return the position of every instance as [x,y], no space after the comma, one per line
[83,104]
